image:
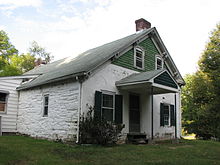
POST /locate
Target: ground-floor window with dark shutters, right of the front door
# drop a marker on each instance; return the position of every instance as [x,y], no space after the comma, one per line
[167,115]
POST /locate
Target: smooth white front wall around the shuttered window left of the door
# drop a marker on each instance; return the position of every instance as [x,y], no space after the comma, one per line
[104,79]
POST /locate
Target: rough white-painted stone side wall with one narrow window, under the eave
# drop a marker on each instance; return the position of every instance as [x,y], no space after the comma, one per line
[61,122]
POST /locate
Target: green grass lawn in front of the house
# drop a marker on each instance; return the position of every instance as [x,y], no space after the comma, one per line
[24,150]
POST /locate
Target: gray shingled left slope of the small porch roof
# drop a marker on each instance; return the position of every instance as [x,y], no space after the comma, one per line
[139,77]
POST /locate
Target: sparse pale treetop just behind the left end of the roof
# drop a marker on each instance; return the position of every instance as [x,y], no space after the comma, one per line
[40,52]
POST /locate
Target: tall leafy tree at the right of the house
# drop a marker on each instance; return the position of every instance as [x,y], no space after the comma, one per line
[201,95]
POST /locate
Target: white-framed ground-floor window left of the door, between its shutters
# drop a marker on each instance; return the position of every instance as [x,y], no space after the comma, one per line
[108,106]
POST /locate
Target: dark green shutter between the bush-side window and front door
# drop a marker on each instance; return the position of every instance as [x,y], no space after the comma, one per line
[118,109]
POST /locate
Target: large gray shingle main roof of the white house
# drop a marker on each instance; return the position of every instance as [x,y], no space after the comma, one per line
[83,63]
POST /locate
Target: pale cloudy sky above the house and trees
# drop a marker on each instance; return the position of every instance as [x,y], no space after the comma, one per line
[69,27]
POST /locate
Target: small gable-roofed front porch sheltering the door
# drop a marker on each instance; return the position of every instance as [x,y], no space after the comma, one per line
[144,95]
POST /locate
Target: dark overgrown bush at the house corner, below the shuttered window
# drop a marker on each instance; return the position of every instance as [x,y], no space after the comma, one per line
[98,131]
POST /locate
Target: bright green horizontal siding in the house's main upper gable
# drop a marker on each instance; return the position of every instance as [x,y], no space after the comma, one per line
[127,59]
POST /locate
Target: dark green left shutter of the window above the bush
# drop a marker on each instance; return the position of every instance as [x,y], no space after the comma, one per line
[98,104]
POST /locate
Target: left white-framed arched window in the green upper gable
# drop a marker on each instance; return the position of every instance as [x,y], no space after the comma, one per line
[139,58]
